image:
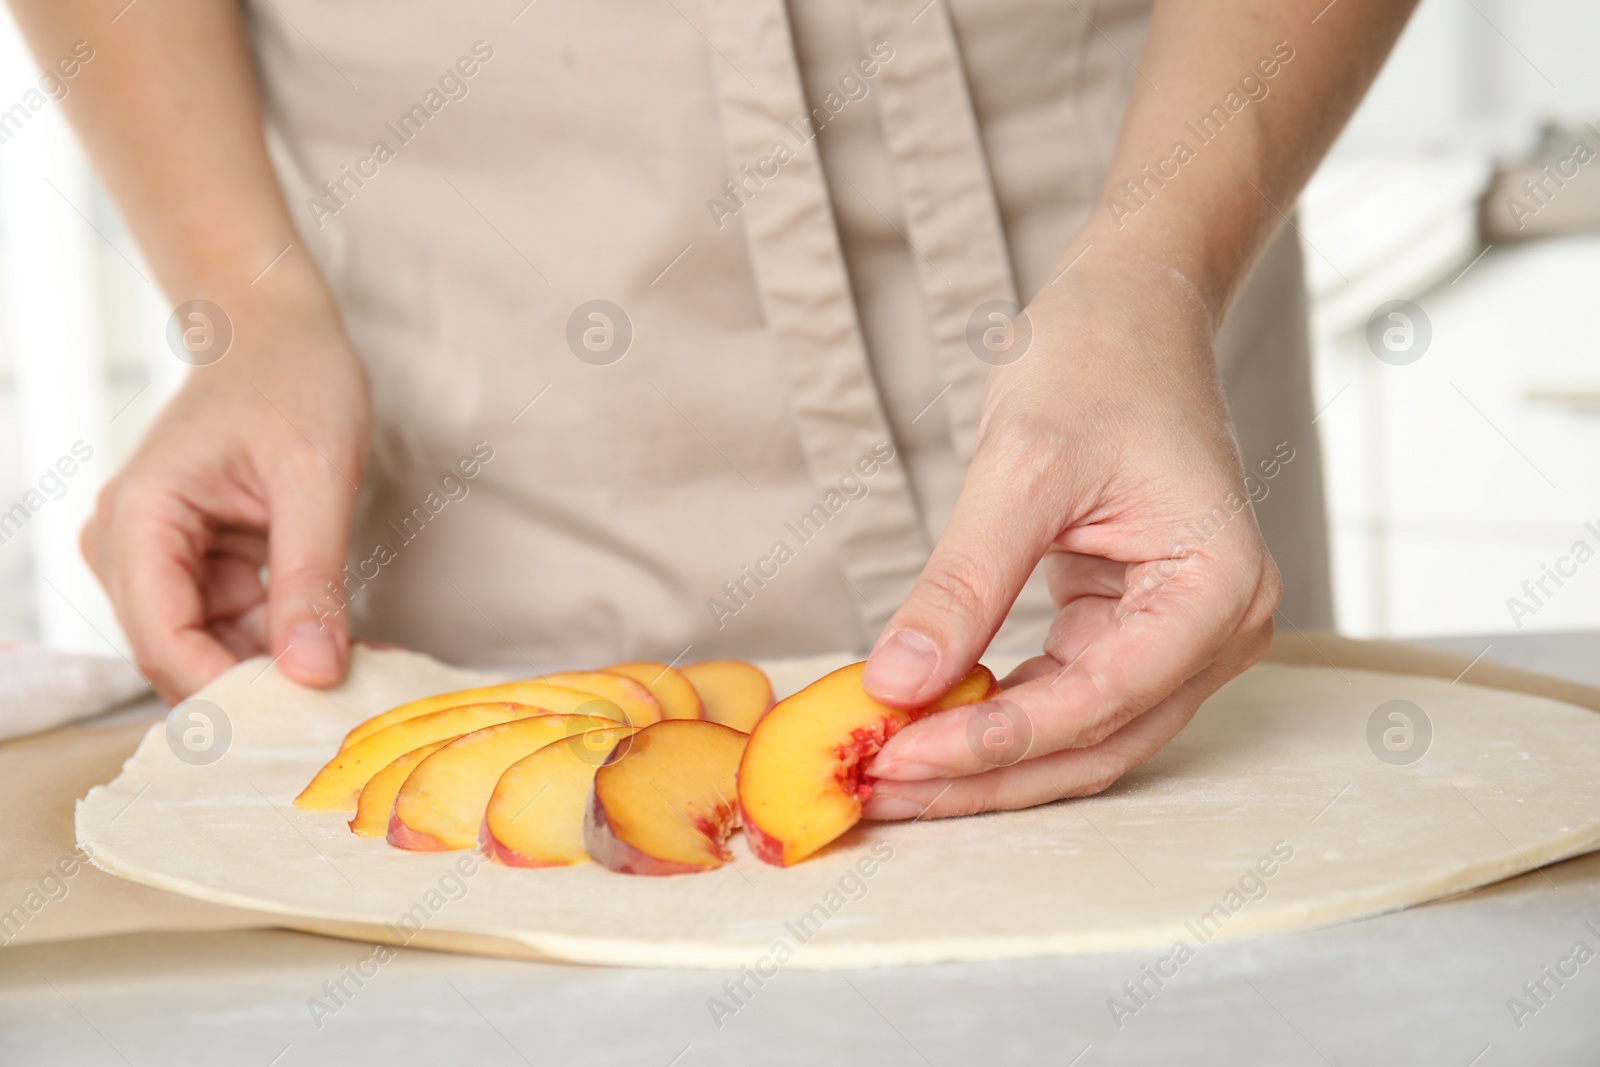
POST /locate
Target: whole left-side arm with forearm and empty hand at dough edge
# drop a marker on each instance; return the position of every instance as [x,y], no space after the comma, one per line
[234,514]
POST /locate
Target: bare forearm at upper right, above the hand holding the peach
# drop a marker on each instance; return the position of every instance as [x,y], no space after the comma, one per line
[1234,106]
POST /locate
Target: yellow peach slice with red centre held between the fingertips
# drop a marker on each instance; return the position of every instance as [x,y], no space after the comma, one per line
[801,781]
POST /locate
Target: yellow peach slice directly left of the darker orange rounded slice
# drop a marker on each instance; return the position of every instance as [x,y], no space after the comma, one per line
[553,789]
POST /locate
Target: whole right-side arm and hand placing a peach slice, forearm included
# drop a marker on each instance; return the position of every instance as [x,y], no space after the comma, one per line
[1106,452]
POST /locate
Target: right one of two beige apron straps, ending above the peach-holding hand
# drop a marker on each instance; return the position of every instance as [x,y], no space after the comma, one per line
[942,169]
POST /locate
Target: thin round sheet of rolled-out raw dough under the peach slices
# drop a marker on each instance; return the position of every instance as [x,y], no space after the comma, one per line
[1271,812]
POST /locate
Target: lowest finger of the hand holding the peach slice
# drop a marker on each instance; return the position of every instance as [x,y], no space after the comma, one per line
[1057,777]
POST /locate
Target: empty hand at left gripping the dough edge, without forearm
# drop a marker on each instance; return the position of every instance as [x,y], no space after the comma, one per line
[220,535]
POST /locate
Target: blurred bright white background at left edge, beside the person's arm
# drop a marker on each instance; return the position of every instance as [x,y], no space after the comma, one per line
[81,329]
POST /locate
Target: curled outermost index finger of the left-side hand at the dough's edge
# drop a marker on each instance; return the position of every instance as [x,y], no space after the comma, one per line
[151,562]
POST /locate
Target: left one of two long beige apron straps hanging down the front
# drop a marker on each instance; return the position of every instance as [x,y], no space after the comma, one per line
[807,300]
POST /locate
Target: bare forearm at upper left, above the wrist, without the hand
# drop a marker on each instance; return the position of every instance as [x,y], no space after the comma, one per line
[170,114]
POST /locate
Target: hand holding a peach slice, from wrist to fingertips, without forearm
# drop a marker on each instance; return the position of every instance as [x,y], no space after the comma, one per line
[1105,454]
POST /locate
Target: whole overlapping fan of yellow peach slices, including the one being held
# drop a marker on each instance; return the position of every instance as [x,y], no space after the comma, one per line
[660,794]
